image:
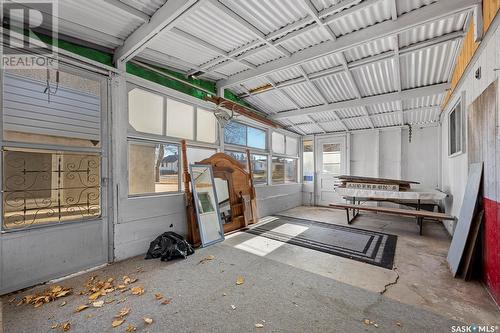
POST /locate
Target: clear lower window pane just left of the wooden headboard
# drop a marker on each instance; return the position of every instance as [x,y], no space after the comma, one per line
[153,168]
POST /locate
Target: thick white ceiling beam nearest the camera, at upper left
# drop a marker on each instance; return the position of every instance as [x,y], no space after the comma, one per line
[162,19]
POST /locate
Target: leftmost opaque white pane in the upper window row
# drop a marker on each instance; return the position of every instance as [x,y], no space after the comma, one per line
[145,111]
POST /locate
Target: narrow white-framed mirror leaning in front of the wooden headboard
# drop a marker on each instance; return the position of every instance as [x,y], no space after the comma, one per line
[207,204]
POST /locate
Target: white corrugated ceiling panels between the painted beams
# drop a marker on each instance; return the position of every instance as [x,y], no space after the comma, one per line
[225,37]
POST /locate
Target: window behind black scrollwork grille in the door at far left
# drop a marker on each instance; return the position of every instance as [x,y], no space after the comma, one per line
[43,187]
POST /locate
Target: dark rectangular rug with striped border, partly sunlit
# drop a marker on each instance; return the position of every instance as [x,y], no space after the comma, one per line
[367,246]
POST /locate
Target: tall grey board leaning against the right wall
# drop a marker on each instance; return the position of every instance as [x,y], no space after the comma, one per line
[465,218]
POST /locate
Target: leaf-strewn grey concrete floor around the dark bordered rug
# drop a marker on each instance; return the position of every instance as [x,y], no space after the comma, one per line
[286,289]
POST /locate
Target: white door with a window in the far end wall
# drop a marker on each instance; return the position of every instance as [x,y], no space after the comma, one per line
[331,163]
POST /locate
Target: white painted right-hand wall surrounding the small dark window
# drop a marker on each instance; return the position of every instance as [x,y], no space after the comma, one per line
[455,168]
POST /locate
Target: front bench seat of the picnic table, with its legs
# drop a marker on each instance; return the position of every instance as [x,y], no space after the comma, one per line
[419,214]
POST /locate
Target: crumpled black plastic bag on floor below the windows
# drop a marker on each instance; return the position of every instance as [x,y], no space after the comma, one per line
[168,246]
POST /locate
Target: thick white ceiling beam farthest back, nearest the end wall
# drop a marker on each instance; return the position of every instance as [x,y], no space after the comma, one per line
[377,99]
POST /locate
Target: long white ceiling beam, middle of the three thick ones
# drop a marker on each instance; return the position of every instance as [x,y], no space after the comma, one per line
[432,12]
